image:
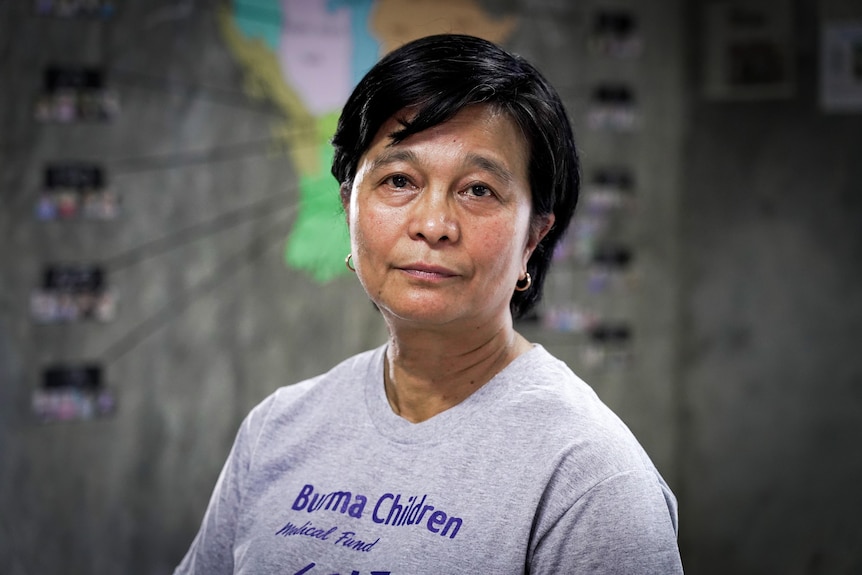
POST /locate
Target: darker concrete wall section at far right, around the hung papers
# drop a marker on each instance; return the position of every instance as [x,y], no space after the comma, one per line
[771,374]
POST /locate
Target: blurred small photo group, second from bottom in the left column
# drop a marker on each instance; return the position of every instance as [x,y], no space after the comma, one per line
[73,293]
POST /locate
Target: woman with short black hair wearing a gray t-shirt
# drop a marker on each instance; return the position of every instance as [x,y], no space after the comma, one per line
[458,447]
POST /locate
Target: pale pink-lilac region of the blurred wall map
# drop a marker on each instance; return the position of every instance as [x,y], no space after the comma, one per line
[315,51]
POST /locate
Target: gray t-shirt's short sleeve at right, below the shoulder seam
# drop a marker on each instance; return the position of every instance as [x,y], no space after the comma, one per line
[624,525]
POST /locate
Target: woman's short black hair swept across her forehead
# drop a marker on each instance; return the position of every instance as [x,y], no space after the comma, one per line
[436,77]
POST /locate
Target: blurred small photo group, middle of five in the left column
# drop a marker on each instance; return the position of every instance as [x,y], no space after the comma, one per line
[76,191]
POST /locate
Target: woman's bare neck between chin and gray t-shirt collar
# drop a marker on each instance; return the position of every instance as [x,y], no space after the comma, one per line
[428,372]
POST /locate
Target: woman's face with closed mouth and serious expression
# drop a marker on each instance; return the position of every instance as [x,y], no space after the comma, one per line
[440,222]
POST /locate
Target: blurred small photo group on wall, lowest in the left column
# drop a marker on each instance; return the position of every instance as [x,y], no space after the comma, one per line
[72,392]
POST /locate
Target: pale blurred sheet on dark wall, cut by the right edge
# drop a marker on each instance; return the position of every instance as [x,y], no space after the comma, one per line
[841,67]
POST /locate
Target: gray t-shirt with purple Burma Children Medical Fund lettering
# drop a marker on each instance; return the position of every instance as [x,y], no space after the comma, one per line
[530,474]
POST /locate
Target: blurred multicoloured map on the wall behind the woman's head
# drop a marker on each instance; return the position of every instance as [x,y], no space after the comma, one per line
[305,57]
